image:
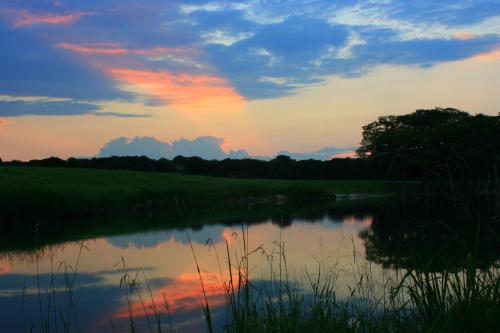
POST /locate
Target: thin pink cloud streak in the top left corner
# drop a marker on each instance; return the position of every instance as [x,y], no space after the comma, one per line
[24,17]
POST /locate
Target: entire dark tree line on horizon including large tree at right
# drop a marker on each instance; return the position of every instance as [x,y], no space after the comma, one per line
[446,149]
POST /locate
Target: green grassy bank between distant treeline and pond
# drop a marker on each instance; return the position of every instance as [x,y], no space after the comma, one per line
[32,193]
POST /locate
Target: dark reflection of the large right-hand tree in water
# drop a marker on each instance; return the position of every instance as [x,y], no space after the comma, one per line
[431,236]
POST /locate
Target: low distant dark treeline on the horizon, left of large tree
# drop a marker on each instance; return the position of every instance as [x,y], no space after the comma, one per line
[281,167]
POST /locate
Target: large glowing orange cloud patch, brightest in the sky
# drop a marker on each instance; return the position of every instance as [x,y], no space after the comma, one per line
[181,91]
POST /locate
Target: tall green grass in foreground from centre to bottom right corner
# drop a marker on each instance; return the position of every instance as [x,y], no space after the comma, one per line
[466,300]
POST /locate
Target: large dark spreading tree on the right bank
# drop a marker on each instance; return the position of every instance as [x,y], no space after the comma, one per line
[450,151]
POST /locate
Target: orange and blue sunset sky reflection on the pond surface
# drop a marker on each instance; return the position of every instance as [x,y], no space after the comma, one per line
[166,259]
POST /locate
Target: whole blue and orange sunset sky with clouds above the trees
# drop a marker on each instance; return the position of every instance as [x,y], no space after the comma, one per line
[259,76]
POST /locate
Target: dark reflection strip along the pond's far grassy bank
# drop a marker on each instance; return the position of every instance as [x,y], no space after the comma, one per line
[21,238]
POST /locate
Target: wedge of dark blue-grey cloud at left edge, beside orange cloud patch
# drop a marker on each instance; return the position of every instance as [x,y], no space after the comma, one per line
[31,66]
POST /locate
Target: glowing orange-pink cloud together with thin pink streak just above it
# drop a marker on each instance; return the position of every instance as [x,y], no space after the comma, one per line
[179,90]
